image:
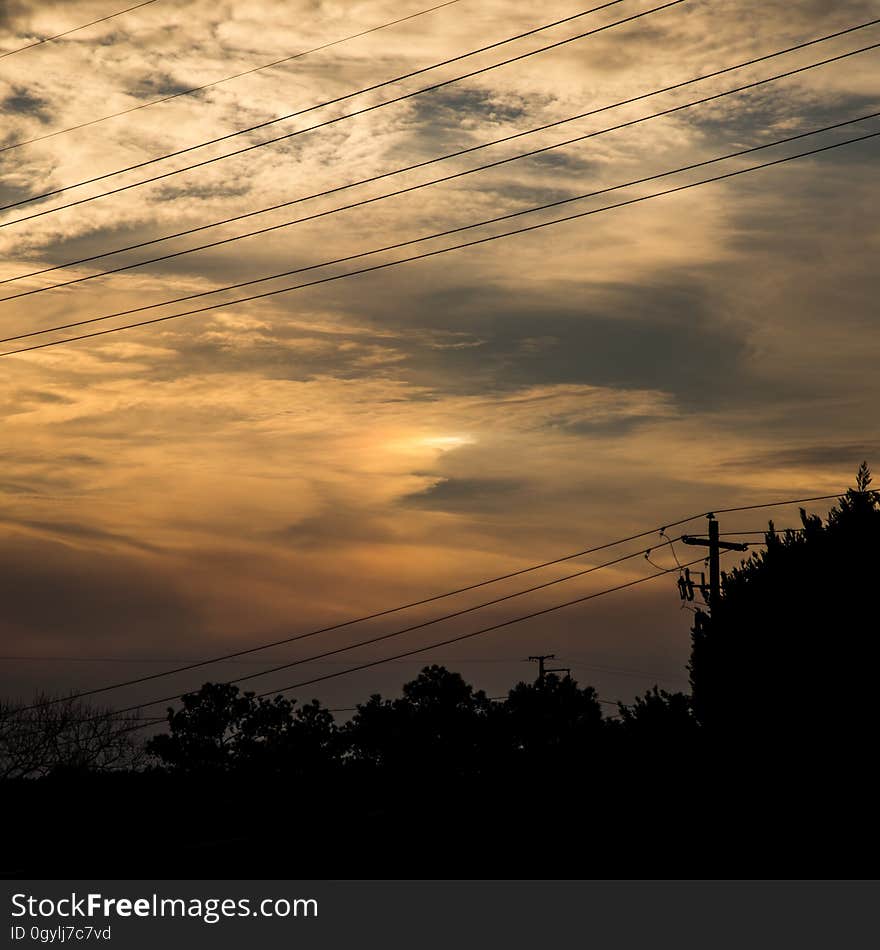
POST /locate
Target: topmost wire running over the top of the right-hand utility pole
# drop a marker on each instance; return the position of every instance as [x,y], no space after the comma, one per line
[383,613]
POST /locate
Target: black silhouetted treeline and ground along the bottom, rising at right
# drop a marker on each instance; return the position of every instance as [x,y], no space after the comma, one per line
[766,768]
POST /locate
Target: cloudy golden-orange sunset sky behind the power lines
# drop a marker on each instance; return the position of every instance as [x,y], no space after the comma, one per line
[215,481]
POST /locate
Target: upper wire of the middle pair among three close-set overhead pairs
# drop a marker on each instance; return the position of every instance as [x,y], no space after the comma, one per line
[483,145]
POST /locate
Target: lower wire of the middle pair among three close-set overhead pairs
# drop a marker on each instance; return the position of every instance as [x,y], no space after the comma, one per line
[419,186]
